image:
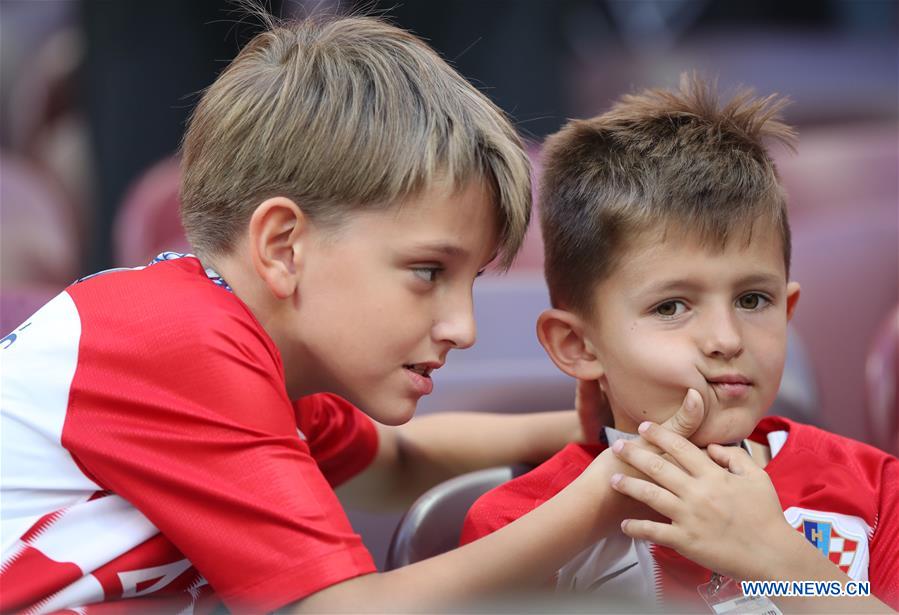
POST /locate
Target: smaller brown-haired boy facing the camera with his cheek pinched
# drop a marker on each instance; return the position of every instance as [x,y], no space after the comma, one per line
[667,259]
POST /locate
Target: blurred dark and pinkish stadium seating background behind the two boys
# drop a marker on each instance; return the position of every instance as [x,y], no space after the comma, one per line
[94,96]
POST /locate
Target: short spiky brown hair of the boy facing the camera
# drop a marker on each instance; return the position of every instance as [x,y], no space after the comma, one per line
[656,159]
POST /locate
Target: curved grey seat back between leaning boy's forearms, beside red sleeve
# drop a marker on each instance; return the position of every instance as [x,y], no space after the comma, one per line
[433,523]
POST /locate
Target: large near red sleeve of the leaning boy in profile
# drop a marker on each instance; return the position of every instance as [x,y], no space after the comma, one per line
[179,406]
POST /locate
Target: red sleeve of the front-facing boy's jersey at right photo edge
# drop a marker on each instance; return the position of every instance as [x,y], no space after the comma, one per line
[884,569]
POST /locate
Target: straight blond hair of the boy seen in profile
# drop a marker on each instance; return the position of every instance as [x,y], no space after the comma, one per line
[341,114]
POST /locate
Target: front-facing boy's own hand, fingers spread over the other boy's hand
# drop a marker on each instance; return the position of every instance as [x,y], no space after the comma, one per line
[724,511]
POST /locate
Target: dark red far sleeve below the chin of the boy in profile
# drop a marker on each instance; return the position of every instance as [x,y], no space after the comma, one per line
[342,438]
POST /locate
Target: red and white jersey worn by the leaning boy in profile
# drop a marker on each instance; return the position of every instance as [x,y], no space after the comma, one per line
[152,461]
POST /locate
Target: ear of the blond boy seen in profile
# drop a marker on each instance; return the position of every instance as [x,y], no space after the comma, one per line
[277,231]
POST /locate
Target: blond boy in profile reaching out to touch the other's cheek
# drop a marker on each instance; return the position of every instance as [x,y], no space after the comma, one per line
[165,444]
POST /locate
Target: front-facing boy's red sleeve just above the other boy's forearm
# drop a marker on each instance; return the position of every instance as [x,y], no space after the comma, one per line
[506,503]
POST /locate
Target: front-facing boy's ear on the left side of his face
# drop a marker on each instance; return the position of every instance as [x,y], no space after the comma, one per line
[562,335]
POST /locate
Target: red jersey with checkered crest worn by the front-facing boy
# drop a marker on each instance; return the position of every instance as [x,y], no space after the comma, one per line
[841,494]
